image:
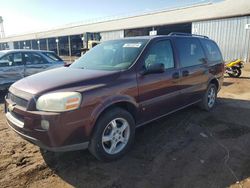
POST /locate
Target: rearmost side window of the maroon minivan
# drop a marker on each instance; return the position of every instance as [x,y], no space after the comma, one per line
[212,51]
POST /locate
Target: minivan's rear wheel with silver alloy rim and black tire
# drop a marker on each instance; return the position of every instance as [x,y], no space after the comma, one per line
[209,98]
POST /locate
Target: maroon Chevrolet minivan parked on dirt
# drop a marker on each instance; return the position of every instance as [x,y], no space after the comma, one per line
[117,86]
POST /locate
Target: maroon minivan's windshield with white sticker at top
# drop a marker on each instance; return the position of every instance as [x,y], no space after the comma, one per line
[111,55]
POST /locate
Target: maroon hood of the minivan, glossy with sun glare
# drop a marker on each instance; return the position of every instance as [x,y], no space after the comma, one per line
[62,78]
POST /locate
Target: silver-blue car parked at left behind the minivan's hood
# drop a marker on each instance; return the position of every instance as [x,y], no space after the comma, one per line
[17,64]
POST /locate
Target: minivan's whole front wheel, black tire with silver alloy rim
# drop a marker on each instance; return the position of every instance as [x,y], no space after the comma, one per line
[113,135]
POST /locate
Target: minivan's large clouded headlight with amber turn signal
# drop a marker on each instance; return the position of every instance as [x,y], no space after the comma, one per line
[59,102]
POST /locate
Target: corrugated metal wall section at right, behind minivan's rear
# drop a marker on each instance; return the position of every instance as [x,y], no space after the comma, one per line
[230,34]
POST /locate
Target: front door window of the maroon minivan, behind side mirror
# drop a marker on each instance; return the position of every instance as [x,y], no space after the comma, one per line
[160,52]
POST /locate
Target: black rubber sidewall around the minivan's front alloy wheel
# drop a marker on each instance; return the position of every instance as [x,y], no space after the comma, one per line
[96,147]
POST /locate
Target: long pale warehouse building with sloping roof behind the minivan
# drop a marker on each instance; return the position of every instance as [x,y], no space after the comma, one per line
[227,22]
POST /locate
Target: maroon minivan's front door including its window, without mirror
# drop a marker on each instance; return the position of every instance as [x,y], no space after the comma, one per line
[158,93]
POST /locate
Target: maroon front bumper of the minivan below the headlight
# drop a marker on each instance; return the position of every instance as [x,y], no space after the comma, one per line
[64,133]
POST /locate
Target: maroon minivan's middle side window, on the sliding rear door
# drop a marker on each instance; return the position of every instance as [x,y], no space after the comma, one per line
[190,52]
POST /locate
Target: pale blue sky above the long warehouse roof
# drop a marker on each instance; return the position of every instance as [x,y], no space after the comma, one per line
[24,16]
